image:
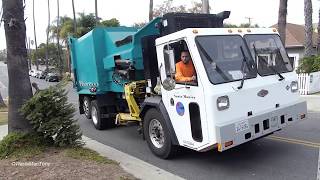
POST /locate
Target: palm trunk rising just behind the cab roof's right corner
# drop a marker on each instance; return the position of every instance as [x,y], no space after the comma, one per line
[282,20]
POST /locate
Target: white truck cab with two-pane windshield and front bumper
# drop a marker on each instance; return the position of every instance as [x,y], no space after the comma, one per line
[245,87]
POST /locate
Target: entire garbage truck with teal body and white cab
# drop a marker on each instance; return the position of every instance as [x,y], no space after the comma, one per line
[245,86]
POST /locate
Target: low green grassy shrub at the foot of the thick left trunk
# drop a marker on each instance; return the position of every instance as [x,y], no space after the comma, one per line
[22,145]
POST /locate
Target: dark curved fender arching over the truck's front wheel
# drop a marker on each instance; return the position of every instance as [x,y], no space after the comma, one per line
[156,102]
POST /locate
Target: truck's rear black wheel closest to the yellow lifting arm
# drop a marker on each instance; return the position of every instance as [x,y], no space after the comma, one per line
[99,122]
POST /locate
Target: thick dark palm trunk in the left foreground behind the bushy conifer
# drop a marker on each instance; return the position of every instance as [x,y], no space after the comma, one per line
[19,82]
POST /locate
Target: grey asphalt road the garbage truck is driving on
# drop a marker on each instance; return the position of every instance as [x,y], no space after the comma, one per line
[266,158]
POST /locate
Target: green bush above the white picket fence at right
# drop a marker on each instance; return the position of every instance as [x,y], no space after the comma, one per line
[309,65]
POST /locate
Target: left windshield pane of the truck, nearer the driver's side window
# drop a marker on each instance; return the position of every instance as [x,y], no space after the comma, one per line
[223,59]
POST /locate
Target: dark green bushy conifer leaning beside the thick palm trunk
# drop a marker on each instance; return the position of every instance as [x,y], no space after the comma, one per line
[51,116]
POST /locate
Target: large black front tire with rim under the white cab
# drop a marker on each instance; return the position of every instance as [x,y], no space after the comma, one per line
[165,149]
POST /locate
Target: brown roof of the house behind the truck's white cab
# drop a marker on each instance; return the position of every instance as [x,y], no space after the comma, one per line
[295,35]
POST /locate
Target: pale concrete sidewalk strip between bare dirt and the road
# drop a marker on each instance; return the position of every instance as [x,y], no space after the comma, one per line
[136,167]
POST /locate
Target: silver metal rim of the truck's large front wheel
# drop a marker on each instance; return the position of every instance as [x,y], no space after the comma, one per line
[156,133]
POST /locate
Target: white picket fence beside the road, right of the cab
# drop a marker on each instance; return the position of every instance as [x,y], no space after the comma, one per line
[309,83]
